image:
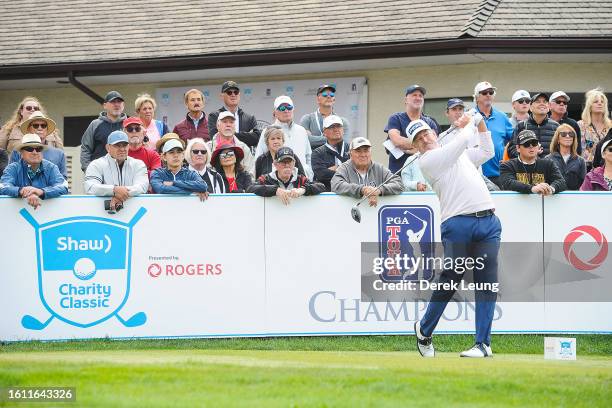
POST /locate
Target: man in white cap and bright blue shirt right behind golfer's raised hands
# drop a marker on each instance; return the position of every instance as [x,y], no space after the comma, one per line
[497,123]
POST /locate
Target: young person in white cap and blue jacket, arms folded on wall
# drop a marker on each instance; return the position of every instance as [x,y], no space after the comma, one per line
[175,178]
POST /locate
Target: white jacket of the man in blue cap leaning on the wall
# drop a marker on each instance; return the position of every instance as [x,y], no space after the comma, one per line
[103,175]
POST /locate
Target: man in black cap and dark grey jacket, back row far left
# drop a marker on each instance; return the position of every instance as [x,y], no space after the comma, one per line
[93,142]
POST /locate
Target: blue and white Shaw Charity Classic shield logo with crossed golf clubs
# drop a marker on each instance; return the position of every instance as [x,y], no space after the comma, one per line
[84,268]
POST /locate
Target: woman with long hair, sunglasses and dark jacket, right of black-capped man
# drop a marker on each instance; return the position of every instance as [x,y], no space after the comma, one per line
[564,152]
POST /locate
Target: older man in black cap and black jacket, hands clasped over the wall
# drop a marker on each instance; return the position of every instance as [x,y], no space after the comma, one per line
[285,182]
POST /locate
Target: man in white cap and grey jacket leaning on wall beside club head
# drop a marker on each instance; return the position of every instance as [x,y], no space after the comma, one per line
[360,176]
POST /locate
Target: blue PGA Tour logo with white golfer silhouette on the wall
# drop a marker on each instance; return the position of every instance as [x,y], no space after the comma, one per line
[406,231]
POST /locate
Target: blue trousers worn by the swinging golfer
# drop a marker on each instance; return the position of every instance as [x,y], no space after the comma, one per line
[467,236]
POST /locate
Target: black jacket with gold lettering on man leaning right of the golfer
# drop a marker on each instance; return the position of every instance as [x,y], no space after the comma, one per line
[516,176]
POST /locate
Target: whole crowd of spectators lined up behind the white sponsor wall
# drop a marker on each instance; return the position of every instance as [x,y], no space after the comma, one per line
[539,149]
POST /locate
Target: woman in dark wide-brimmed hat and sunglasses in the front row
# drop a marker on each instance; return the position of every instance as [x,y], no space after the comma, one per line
[227,160]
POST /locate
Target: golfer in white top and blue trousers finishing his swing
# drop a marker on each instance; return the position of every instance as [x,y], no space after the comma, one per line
[470,229]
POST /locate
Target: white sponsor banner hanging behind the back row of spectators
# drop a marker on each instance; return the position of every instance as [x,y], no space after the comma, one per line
[257,98]
